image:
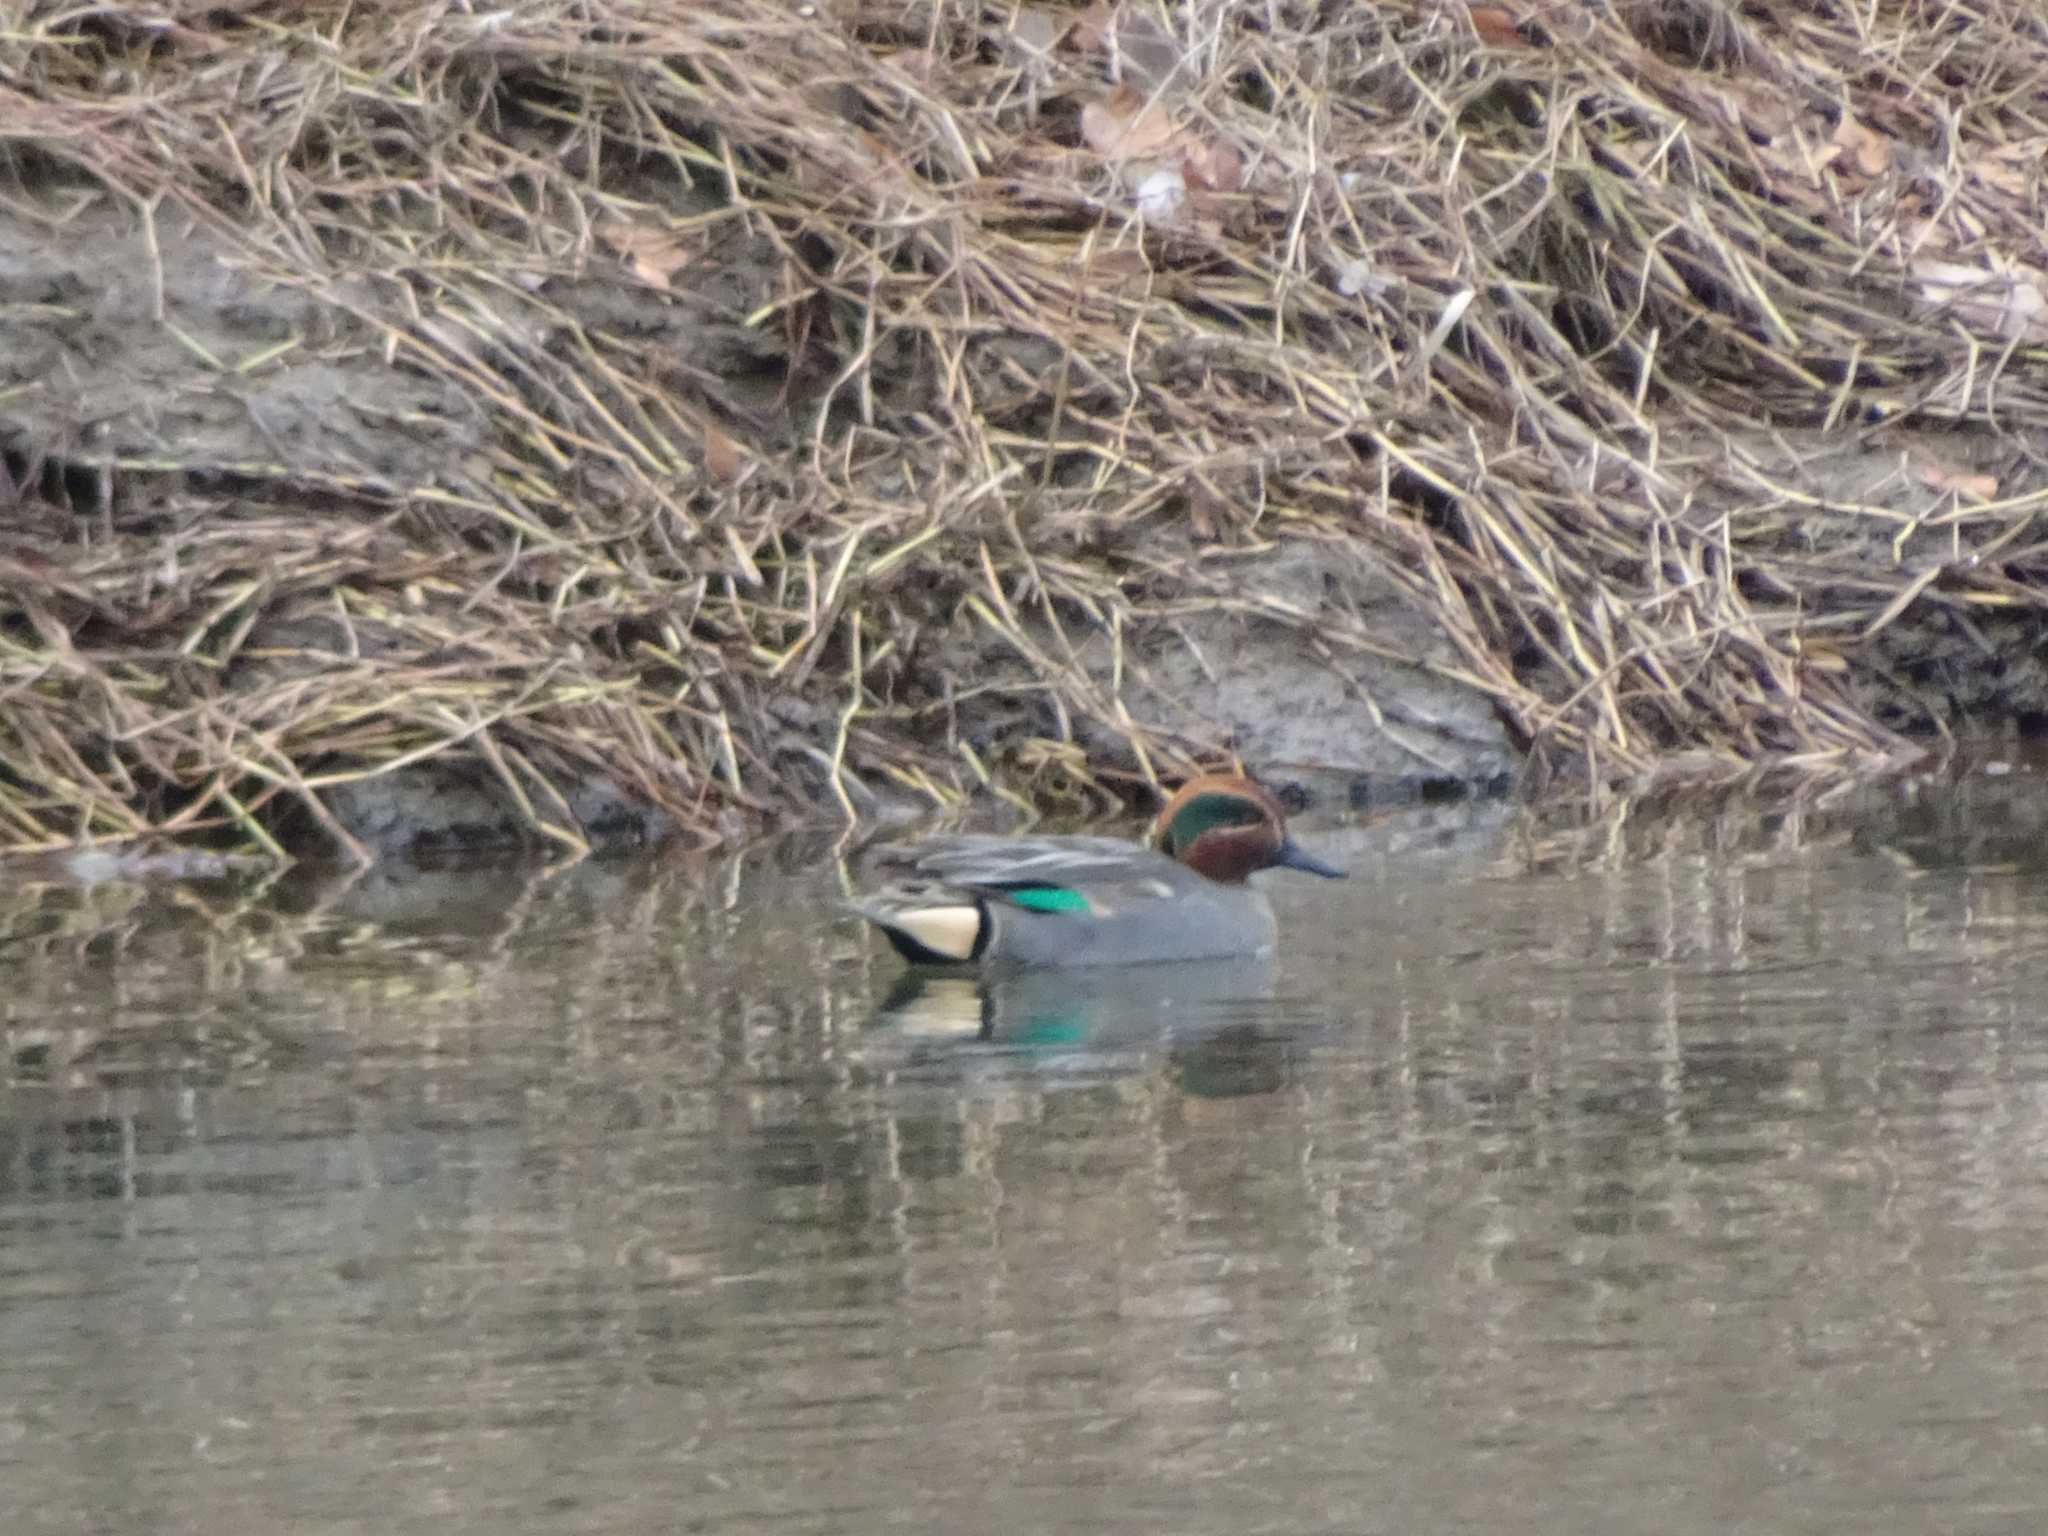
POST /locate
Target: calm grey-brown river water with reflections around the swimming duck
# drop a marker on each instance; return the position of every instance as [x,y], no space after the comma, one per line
[1641,1175]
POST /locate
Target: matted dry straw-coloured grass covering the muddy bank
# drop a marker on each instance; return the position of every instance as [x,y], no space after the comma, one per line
[1490,302]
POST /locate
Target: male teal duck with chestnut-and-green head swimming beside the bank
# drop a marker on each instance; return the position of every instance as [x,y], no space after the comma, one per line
[1070,902]
